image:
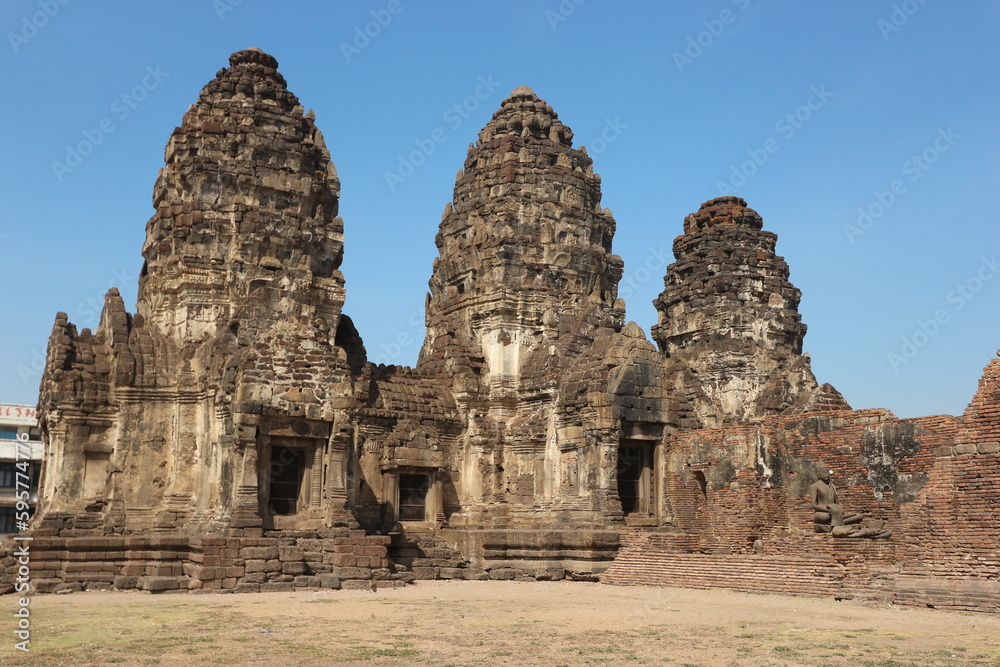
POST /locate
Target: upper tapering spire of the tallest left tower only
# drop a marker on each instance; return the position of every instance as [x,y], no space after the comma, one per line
[247,200]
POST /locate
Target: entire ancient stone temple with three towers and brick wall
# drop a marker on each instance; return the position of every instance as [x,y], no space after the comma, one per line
[231,434]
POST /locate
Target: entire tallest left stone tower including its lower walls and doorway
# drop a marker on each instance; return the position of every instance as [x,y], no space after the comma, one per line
[213,407]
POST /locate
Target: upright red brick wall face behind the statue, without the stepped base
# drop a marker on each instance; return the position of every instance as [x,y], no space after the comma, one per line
[924,477]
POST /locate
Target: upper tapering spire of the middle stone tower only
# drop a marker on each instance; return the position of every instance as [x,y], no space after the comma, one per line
[525,245]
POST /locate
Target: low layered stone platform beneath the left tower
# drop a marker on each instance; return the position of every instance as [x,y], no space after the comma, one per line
[160,563]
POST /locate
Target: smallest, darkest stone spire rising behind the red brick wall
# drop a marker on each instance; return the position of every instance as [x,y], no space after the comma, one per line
[729,324]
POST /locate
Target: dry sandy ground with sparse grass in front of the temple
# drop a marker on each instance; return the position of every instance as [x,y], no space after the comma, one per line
[492,623]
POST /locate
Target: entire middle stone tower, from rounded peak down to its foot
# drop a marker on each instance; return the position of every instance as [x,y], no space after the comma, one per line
[523,317]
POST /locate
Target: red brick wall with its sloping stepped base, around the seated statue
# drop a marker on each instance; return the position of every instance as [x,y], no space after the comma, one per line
[934,480]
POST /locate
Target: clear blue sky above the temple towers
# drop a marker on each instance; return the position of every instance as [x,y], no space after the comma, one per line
[864,133]
